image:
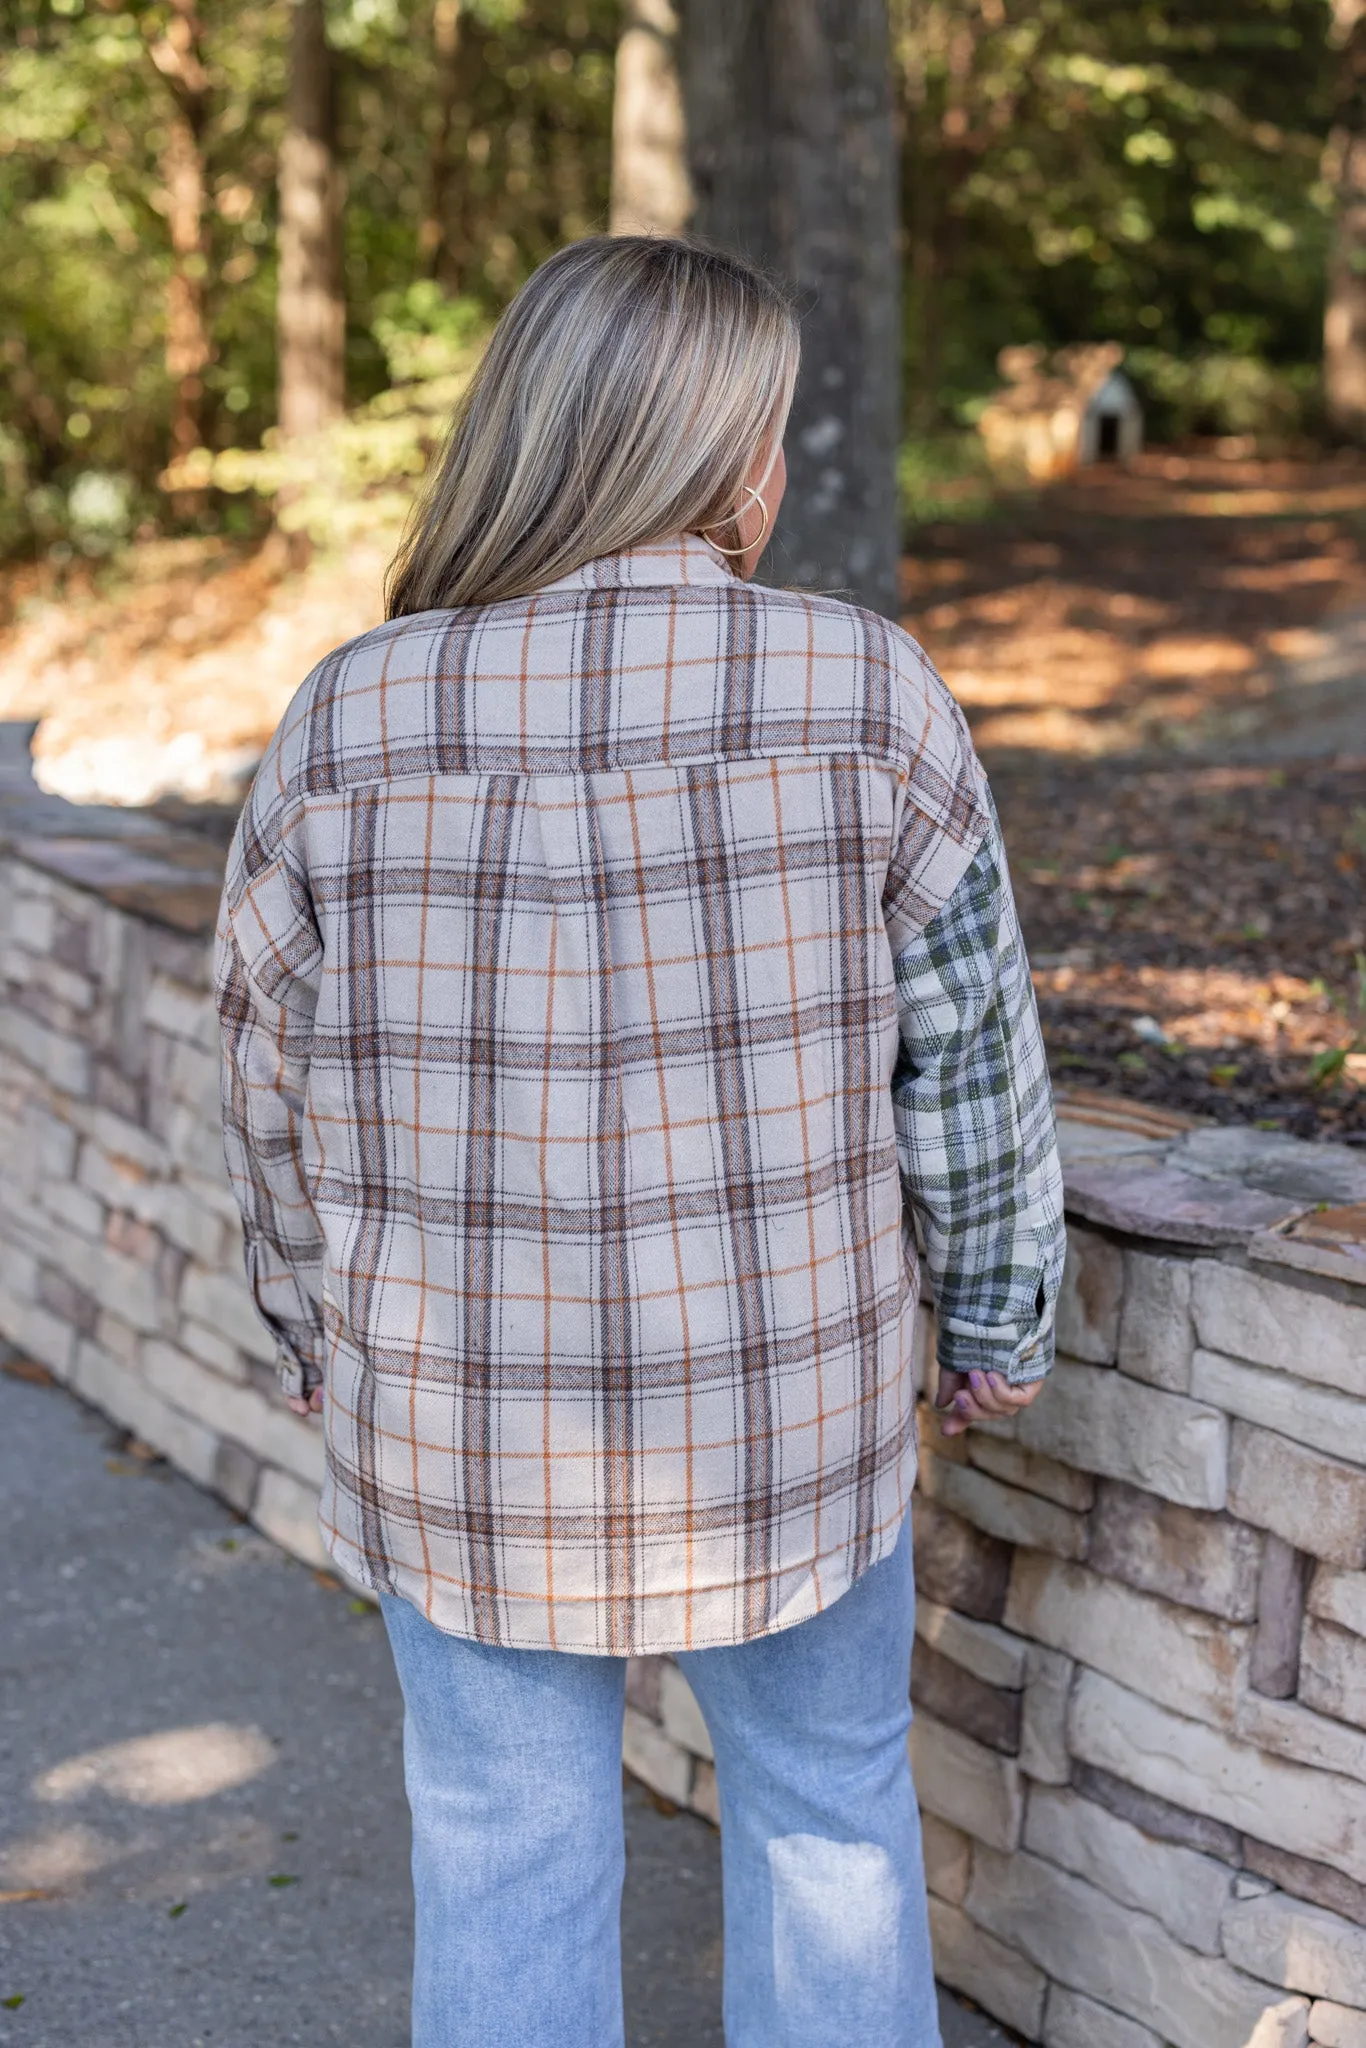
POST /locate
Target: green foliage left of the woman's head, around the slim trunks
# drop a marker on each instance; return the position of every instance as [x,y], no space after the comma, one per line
[85,247]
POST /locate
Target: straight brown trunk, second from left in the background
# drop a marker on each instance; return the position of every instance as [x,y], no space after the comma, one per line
[312,304]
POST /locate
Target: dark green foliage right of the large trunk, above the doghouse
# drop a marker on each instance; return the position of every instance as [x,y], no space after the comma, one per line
[1082,171]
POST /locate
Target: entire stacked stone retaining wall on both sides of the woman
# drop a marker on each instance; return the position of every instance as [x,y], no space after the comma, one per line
[1142,1635]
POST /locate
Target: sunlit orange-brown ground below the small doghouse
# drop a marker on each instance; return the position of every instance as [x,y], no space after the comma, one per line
[1138,617]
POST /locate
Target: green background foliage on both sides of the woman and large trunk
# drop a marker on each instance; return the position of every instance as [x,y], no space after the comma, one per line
[1072,171]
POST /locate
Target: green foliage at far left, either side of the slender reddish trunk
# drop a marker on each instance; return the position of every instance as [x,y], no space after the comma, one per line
[85,255]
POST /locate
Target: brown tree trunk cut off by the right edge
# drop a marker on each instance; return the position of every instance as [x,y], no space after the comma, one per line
[1344,323]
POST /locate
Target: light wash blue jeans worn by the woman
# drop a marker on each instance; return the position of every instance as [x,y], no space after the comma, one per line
[513,1764]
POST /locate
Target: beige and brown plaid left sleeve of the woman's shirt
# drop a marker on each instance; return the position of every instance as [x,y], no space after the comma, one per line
[267,968]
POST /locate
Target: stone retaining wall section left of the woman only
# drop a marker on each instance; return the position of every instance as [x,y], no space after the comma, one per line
[120,1240]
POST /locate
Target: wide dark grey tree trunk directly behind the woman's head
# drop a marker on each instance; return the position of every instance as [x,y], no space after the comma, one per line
[794,163]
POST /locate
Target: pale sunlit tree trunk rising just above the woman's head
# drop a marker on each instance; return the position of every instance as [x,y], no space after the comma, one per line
[650,157]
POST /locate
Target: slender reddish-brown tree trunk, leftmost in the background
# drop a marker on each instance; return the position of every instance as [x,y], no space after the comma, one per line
[177,54]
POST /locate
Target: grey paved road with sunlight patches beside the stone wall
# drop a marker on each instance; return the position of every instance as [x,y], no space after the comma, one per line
[200,1768]
